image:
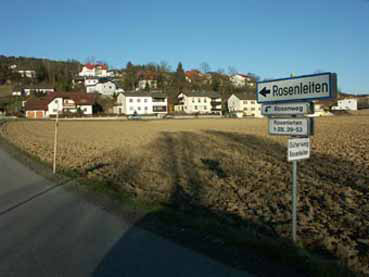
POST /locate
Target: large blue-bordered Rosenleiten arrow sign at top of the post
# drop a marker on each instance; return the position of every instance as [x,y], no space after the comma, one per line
[309,87]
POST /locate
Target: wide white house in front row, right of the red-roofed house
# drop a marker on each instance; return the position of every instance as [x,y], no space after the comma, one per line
[141,103]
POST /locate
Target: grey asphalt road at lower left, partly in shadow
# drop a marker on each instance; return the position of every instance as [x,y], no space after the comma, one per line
[46,230]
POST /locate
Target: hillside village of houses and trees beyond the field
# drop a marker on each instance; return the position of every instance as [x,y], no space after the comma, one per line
[143,91]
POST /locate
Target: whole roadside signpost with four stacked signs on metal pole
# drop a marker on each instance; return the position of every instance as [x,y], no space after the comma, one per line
[285,102]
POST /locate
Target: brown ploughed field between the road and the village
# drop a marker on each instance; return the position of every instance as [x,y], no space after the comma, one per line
[230,167]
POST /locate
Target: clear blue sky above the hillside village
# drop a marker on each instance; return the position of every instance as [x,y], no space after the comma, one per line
[269,38]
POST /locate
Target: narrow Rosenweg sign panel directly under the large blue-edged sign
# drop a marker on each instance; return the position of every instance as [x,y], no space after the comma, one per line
[287,109]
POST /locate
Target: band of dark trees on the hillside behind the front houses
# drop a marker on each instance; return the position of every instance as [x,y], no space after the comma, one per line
[60,75]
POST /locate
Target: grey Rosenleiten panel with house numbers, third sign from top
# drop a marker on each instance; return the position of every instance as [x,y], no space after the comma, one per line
[291,126]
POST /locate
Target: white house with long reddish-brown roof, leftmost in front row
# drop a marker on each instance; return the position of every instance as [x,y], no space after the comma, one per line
[59,102]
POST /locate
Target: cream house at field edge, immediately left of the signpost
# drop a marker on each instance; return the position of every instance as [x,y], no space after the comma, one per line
[245,103]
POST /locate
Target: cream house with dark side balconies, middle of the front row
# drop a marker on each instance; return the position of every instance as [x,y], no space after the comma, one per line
[207,102]
